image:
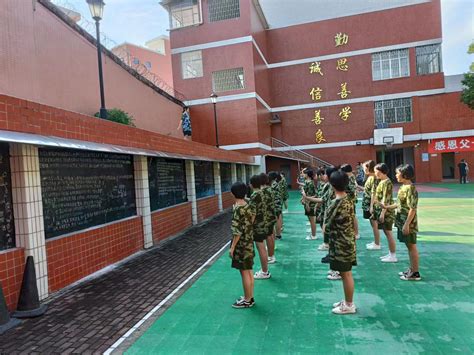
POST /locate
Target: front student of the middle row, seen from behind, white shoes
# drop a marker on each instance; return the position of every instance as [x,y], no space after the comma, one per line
[339,226]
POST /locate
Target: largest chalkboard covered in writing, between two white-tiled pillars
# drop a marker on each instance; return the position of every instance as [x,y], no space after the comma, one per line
[82,189]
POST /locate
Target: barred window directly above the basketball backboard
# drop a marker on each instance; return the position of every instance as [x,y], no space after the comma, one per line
[393,111]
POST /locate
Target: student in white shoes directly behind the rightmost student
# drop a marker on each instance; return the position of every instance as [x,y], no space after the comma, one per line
[385,217]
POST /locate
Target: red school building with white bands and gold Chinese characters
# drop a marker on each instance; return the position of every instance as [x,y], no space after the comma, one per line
[339,83]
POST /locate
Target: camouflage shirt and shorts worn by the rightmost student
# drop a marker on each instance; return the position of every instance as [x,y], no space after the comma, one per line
[407,199]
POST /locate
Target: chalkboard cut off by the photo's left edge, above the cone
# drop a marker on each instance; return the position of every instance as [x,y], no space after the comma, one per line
[7,226]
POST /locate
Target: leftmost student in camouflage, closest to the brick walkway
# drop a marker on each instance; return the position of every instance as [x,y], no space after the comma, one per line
[241,249]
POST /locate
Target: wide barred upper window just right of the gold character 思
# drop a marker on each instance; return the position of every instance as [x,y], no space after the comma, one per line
[390,65]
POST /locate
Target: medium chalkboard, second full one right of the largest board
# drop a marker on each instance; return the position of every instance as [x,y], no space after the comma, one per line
[167,178]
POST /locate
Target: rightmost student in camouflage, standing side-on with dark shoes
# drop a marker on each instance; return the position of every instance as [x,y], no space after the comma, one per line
[406,219]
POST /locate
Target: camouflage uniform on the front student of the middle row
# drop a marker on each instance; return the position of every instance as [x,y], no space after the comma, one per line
[340,229]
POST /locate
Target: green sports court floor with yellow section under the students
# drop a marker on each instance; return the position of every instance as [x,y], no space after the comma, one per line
[293,309]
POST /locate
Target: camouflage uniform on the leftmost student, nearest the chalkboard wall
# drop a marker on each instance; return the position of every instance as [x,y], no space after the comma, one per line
[242,226]
